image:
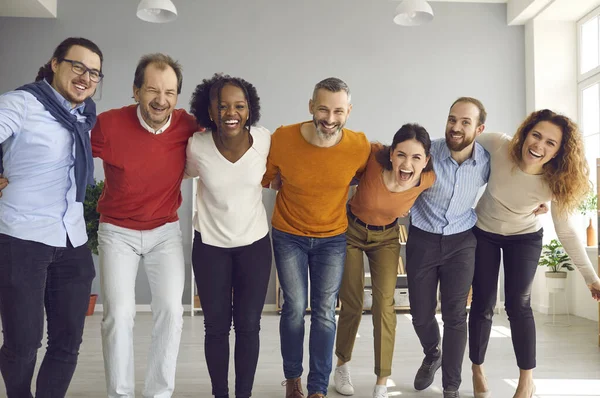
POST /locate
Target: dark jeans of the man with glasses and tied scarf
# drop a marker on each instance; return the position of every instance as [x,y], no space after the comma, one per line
[34,276]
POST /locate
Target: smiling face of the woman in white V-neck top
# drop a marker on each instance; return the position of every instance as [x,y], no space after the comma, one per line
[232,113]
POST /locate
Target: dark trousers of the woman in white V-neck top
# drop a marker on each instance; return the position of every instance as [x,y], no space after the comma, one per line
[218,271]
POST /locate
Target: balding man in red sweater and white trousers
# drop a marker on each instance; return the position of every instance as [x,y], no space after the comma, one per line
[143,151]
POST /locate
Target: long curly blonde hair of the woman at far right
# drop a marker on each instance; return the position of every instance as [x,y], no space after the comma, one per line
[568,173]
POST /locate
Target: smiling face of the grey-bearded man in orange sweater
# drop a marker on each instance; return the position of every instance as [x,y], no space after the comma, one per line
[330,112]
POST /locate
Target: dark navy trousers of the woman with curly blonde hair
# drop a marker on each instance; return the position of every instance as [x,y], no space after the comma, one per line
[520,254]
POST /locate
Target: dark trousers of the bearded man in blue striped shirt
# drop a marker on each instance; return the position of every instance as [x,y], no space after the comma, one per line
[449,260]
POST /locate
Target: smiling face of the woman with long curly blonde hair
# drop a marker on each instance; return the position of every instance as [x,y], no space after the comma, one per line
[541,144]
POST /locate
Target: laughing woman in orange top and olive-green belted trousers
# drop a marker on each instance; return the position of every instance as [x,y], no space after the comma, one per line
[393,179]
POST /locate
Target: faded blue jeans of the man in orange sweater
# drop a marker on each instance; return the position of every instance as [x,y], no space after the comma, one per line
[326,257]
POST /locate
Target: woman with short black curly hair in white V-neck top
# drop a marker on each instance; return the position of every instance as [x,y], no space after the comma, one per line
[232,250]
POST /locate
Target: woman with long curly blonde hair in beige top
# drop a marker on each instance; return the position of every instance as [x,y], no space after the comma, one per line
[544,161]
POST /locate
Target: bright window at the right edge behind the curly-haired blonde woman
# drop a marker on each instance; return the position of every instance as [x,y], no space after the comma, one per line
[589,86]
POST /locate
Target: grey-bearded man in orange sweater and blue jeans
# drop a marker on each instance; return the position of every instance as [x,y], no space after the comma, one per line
[316,161]
